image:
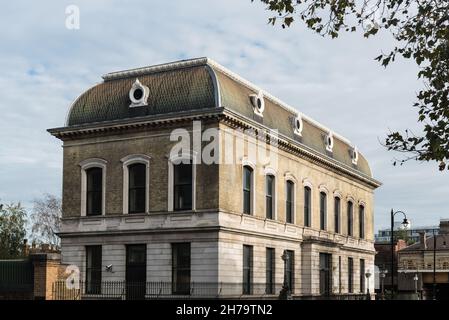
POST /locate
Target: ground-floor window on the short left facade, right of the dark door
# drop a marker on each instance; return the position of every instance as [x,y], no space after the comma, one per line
[181,268]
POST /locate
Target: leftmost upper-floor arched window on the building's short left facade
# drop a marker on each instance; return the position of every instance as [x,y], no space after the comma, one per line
[94,191]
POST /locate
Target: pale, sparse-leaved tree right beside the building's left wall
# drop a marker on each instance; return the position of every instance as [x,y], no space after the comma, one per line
[46,219]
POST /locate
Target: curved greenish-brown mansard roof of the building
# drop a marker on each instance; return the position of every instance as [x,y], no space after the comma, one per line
[200,84]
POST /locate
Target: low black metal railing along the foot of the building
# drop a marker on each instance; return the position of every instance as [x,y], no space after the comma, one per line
[122,290]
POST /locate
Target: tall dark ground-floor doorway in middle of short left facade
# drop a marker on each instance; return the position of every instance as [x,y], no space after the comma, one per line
[136,269]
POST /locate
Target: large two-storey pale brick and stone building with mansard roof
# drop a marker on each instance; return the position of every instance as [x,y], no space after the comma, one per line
[135,211]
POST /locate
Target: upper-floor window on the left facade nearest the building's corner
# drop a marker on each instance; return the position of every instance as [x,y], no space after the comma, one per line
[182,186]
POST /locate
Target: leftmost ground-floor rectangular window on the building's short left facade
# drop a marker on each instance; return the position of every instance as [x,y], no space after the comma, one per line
[93,269]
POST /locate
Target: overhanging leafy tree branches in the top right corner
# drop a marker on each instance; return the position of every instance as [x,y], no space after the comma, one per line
[421,30]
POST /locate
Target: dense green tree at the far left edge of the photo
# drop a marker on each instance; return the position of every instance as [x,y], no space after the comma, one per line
[12,230]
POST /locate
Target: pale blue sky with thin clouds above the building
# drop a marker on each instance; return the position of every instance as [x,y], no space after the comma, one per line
[45,66]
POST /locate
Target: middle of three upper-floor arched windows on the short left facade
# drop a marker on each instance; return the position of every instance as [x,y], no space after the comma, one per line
[136,188]
